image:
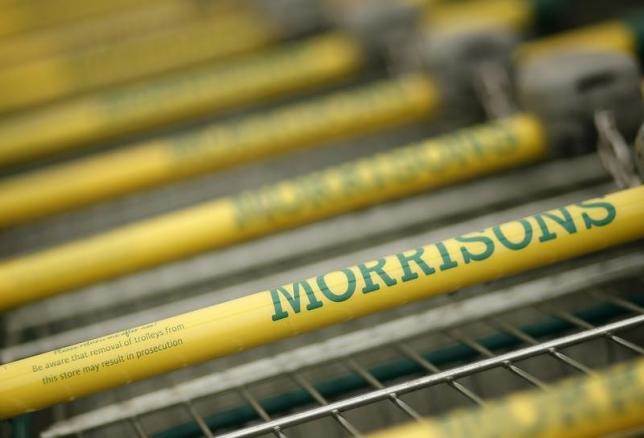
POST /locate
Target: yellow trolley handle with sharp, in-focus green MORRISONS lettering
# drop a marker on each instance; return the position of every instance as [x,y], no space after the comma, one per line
[329,298]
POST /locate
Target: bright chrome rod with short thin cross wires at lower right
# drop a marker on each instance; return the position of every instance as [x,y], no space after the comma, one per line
[341,410]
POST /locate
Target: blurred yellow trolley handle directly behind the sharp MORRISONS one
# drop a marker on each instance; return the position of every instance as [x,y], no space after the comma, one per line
[434,163]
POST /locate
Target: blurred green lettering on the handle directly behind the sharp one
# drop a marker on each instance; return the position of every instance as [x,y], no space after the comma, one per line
[363,182]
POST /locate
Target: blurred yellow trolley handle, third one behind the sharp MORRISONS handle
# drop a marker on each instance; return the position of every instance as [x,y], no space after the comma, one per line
[134,108]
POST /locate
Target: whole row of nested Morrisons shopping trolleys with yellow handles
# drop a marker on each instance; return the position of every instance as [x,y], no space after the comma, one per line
[482,279]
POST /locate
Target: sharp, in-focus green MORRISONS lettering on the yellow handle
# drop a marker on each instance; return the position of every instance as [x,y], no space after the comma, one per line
[379,275]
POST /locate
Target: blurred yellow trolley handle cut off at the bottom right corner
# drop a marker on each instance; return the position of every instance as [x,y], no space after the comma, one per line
[609,402]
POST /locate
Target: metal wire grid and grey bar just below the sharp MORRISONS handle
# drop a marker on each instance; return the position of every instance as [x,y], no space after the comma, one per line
[472,333]
